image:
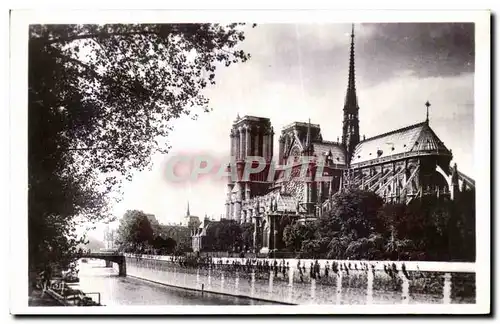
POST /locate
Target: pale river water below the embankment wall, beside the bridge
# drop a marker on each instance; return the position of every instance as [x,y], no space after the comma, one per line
[115,290]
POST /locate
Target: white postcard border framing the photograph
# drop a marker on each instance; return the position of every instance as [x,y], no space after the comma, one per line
[18,148]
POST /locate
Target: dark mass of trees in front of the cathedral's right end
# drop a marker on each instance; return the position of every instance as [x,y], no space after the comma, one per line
[360,226]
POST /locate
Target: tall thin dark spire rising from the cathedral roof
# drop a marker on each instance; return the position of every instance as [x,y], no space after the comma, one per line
[350,126]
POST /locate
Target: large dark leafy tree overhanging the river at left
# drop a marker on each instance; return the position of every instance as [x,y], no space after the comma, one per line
[101,101]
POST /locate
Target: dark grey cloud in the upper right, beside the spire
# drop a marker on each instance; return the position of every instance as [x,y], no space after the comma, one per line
[434,49]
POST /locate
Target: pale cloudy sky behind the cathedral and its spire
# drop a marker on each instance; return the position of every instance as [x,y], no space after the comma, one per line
[299,72]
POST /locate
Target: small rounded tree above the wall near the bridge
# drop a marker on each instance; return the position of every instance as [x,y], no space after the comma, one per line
[135,230]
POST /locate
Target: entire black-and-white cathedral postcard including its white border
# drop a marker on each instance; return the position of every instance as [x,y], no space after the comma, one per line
[175,163]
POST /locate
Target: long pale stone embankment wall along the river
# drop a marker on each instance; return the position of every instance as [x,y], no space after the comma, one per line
[354,282]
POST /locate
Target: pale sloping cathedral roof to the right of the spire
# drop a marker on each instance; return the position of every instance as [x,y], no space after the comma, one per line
[418,138]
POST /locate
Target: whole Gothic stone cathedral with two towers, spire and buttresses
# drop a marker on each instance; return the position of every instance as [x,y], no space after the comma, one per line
[398,166]
